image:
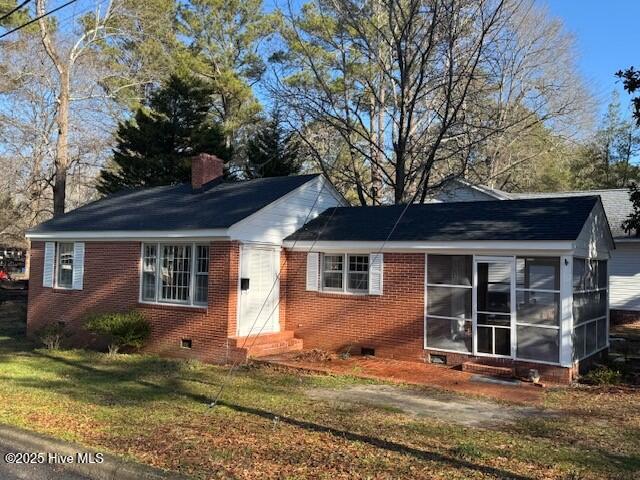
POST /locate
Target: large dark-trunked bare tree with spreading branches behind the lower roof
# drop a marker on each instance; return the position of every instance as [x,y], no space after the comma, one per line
[413,90]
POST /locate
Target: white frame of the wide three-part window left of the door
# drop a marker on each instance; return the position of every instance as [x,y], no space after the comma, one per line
[193,269]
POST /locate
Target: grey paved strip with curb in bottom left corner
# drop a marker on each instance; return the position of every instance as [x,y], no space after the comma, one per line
[54,459]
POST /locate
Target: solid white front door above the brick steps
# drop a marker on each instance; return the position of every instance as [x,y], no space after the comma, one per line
[259,290]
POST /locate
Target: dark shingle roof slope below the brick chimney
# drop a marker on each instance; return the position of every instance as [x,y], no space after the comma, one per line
[177,207]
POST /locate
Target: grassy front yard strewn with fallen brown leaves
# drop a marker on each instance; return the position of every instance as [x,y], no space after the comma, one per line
[268,426]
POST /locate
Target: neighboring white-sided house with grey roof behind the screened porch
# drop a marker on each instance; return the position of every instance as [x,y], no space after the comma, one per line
[624,267]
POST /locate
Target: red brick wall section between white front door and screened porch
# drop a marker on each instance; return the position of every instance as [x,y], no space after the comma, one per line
[391,323]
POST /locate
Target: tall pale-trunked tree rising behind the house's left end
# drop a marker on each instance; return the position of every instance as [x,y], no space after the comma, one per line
[111,26]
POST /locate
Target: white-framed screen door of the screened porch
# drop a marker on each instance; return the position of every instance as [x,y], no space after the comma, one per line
[494,305]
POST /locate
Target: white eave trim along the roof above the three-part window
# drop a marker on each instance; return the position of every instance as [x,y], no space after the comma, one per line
[219,233]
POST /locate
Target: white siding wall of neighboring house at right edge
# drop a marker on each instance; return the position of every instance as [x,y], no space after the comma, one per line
[624,277]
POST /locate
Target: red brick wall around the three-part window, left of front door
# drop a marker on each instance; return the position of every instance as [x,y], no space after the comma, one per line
[111,283]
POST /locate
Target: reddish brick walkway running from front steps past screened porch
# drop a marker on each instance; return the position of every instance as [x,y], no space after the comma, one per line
[415,373]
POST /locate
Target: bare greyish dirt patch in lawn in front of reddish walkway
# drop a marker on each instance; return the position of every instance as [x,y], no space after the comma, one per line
[463,411]
